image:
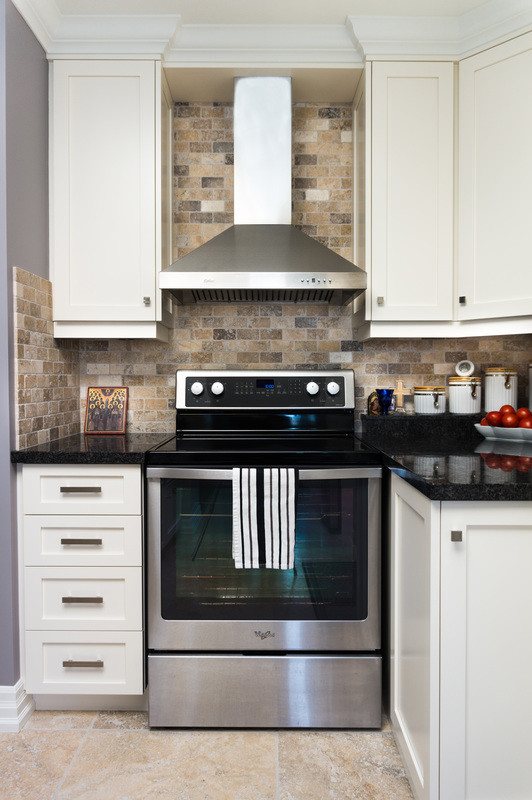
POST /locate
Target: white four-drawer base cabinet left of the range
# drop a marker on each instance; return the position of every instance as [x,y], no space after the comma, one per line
[81,579]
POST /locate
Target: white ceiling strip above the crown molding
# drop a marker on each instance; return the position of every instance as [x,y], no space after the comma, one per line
[270,12]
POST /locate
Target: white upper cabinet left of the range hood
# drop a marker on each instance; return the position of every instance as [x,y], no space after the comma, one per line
[106,197]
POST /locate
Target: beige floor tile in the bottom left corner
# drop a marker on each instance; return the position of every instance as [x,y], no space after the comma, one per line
[33,762]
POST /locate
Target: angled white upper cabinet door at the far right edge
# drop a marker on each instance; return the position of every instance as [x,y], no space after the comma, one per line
[495,180]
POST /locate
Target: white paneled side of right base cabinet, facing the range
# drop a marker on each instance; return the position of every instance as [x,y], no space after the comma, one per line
[414,628]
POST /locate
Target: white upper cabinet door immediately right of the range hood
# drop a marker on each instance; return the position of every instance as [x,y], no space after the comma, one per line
[411,191]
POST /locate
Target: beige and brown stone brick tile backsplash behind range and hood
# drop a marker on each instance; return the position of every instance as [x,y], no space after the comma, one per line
[53,375]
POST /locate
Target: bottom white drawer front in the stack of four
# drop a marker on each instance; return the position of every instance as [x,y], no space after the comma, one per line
[74,662]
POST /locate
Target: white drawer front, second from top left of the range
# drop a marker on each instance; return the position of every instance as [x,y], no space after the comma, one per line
[77,541]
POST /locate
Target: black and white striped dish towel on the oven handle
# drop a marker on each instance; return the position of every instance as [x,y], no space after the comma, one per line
[264,517]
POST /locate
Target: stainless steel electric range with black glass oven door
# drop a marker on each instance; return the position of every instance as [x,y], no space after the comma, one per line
[264,647]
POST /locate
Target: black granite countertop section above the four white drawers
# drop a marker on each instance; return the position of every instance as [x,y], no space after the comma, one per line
[92,449]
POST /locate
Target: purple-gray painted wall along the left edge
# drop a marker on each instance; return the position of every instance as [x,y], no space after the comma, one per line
[23,242]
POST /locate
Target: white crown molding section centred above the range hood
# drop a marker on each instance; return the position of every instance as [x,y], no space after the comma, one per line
[302,44]
